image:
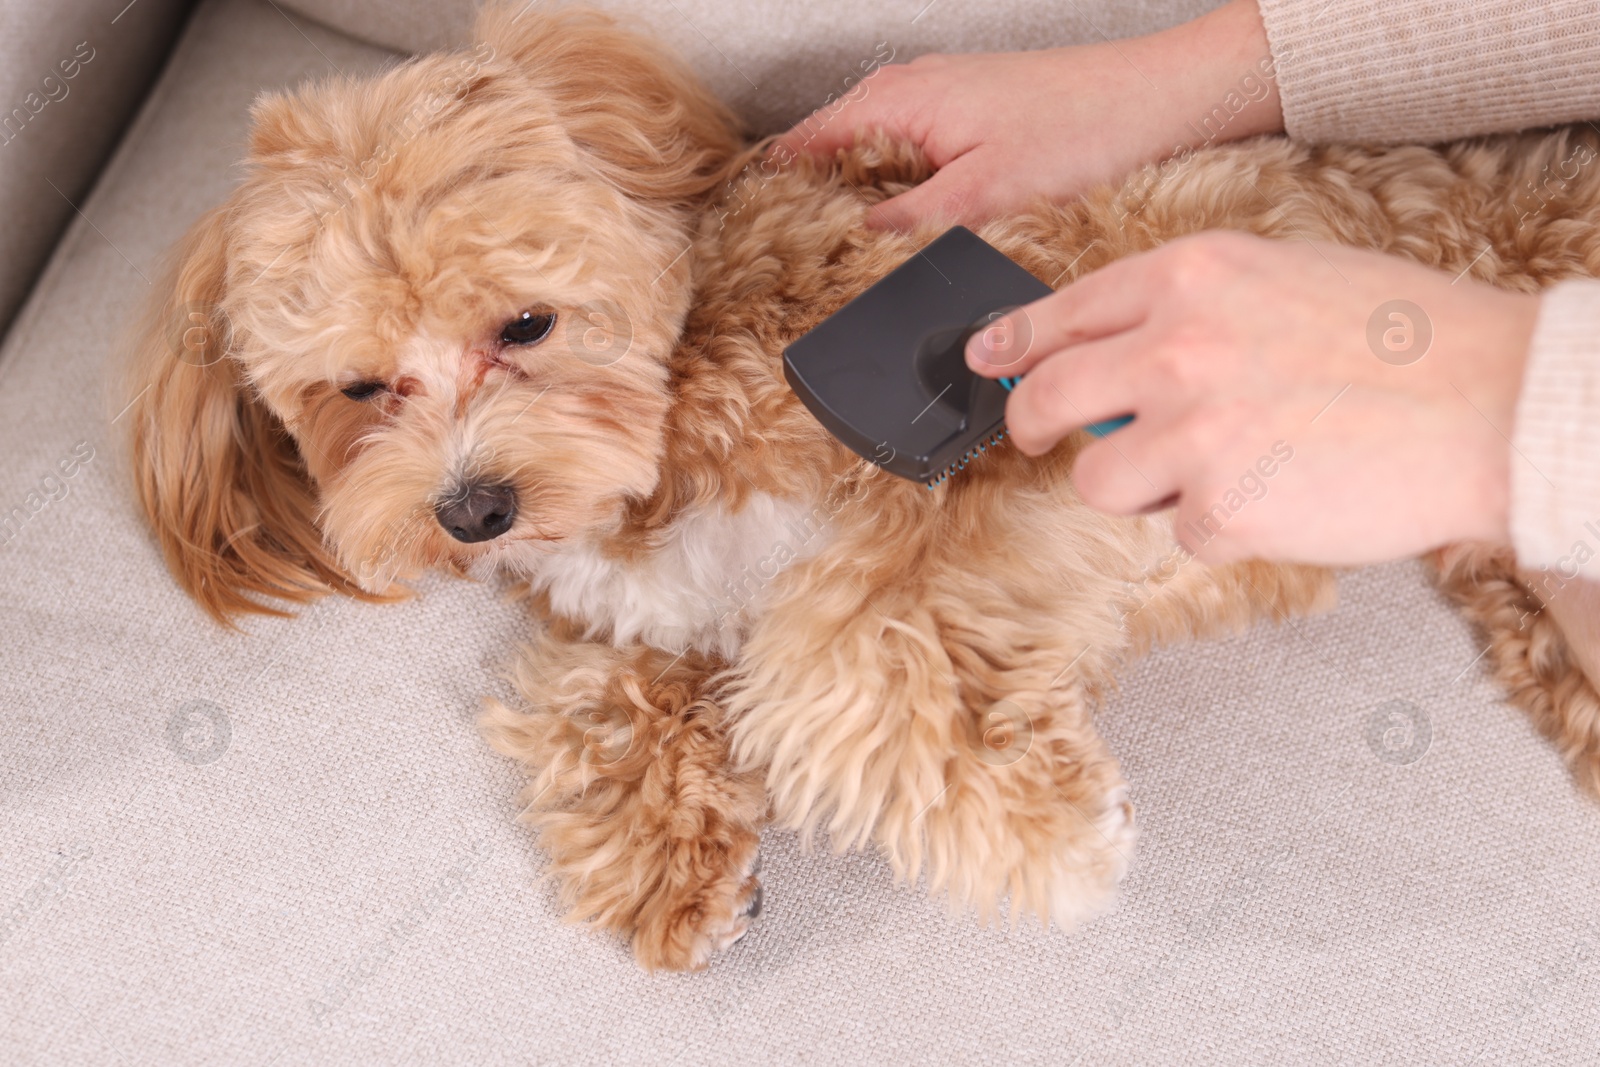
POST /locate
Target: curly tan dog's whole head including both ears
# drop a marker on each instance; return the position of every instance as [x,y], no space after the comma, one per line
[431,326]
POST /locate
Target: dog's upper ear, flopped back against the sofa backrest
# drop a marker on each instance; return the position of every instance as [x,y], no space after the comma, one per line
[650,124]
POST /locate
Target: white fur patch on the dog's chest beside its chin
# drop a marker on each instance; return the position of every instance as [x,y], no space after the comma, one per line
[700,589]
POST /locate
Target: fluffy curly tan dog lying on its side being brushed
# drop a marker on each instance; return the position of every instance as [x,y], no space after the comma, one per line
[521,310]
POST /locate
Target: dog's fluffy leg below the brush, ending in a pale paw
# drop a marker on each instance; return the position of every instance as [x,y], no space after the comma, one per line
[954,738]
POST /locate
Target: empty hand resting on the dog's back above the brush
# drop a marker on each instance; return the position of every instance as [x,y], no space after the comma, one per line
[1009,129]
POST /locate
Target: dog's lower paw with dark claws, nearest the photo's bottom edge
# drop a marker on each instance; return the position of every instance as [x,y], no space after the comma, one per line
[684,933]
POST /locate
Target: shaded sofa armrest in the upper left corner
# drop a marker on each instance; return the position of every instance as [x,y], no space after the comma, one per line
[71,76]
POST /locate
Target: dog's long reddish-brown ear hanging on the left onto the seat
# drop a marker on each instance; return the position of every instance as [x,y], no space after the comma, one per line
[220,479]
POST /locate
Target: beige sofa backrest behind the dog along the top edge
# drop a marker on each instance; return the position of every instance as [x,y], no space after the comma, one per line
[777,62]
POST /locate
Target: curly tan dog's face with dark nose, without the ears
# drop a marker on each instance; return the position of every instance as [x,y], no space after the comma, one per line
[470,346]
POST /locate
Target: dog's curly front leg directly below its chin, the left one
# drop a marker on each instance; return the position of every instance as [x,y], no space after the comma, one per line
[650,831]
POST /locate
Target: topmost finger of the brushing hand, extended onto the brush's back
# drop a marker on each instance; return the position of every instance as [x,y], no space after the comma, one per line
[1111,302]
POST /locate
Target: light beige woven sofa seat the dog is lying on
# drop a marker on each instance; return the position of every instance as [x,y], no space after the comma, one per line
[292,847]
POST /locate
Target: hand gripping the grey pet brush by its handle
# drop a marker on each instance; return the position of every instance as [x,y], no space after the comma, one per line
[1282,399]
